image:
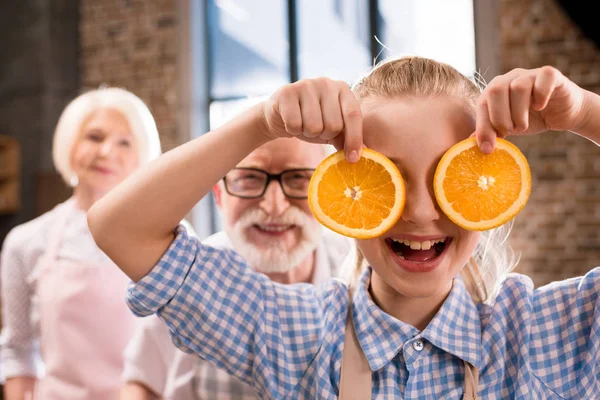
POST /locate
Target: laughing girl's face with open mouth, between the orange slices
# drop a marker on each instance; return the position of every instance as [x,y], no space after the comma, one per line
[421,255]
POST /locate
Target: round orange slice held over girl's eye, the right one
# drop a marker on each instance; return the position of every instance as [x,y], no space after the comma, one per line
[480,192]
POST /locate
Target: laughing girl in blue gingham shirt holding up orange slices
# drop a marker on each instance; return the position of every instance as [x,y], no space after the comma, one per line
[414,329]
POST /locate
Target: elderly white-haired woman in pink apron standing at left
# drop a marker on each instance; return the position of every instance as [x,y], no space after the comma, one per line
[60,292]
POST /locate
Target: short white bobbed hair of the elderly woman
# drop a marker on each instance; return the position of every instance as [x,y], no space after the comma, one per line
[69,125]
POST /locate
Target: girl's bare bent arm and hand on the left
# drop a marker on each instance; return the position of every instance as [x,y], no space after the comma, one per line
[134,224]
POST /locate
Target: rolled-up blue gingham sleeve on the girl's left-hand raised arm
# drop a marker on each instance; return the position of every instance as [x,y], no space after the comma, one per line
[262,332]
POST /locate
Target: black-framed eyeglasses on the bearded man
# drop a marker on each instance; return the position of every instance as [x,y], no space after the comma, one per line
[252,183]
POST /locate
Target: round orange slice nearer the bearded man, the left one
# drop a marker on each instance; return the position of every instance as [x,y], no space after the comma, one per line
[360,200]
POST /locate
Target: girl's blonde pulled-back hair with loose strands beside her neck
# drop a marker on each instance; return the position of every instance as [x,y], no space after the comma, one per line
[493,258]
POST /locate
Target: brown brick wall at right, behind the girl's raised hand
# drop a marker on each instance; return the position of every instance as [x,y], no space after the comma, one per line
[558,233]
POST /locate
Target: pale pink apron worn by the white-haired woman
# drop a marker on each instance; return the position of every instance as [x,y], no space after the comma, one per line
[84,324]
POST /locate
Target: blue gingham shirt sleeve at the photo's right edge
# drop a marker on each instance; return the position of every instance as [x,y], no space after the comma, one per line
[565,333]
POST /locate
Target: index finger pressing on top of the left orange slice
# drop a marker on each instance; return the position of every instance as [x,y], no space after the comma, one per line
[353,134]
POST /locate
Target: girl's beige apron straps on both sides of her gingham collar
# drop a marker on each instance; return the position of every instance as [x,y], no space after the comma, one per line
[356,376]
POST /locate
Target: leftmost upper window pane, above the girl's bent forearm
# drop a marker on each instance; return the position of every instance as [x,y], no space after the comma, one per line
[248,45]
